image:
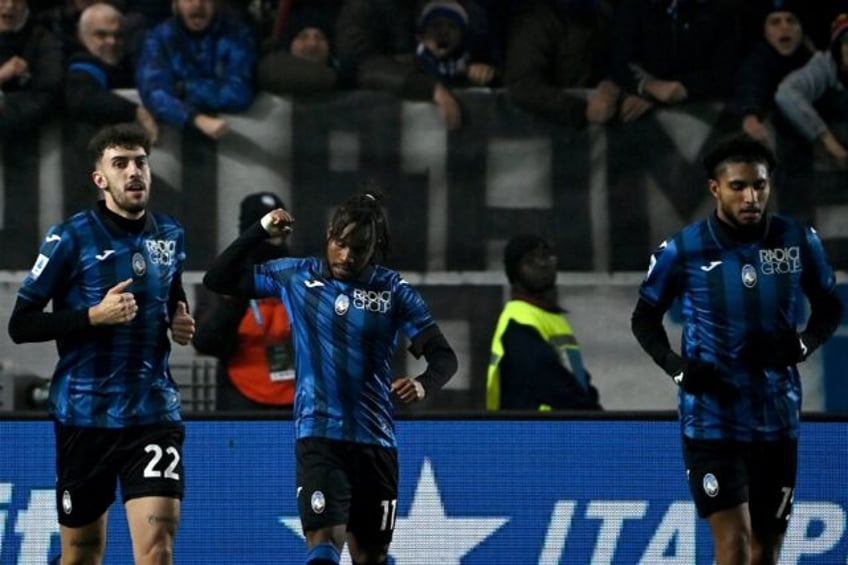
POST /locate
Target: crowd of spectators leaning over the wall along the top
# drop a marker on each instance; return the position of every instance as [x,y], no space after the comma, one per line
[193,59]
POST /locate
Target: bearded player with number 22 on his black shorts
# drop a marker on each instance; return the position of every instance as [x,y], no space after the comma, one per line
[114,276]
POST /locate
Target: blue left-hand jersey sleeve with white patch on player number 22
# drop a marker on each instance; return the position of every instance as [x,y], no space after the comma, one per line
[52,268]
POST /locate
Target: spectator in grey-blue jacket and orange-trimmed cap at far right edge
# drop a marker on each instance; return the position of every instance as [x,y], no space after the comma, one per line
[820,84]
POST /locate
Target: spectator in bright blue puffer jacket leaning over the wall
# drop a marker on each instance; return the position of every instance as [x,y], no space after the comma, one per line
[195,65]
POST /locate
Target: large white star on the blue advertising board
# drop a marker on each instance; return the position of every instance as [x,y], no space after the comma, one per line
[427,534]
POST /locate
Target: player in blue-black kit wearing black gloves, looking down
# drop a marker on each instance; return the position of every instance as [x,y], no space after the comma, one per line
[740,276]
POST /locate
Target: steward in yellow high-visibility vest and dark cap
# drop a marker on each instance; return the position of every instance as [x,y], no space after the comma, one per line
[536,362]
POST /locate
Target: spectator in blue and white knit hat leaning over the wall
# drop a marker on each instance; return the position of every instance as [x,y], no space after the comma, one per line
[442,49]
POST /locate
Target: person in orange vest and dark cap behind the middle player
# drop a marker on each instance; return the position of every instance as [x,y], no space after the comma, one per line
[250,338]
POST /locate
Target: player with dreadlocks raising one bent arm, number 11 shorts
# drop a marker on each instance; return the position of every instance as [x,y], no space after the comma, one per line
[346,311]
